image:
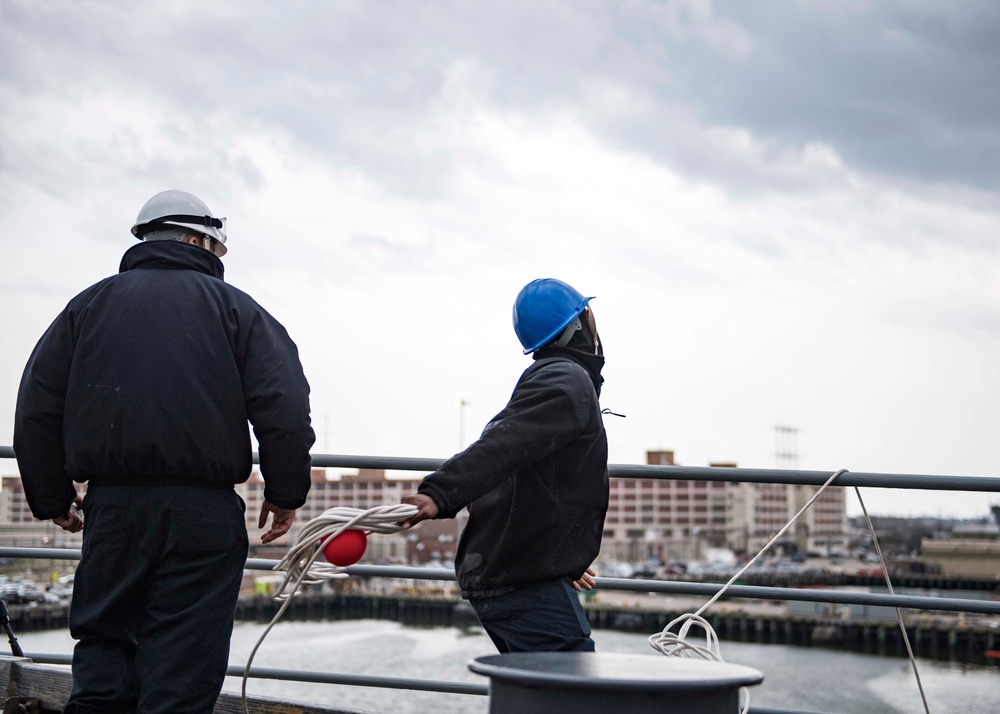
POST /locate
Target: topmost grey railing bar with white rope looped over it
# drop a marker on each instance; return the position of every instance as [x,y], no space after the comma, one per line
[927,482]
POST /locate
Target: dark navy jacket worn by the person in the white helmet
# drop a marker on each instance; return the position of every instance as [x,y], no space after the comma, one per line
[150,376]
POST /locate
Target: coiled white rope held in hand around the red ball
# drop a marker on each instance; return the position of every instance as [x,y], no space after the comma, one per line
[300,565]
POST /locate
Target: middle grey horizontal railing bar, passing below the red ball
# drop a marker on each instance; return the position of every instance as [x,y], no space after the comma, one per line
[673,587]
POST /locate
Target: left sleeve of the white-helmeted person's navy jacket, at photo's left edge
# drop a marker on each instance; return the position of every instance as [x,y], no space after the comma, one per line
[38,422]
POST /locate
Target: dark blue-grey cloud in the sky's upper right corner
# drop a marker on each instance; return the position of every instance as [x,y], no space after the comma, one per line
[897,88]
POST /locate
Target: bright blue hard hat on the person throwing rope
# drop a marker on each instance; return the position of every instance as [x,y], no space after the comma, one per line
[543,309]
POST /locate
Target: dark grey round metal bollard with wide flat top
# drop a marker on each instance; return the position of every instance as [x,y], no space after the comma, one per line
[598,683]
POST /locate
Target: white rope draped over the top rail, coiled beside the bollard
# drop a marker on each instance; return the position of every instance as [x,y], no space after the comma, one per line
[674,644]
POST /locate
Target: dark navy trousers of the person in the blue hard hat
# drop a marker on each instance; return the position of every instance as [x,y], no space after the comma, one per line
[541,617]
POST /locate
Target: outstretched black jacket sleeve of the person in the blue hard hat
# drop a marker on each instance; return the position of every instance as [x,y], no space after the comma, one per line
[542,416]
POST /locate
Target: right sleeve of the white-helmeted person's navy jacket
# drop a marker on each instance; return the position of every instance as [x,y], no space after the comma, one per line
[277,399]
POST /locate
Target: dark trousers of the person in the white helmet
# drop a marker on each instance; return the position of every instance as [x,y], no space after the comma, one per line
[154,598]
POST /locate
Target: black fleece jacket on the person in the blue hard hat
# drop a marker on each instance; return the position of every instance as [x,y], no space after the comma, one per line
[536,481]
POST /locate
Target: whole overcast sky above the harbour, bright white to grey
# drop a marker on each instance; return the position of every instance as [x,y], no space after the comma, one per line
[787,210]
